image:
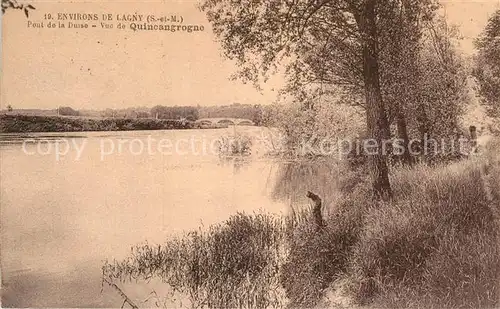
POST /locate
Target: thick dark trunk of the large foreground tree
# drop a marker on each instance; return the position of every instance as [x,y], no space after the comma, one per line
[377,123]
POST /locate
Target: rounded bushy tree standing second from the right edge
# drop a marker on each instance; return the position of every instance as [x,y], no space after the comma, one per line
[442,83]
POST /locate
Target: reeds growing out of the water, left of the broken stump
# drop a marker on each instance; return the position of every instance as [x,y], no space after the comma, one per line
[233,264]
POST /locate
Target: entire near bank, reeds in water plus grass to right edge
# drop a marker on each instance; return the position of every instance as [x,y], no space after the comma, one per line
[435,245]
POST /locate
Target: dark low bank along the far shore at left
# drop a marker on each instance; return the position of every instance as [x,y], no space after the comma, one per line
[25,123]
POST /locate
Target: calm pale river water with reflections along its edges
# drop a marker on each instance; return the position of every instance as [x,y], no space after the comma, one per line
[61,218]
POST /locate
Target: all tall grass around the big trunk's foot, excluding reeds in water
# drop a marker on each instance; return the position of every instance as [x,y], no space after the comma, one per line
[435,245]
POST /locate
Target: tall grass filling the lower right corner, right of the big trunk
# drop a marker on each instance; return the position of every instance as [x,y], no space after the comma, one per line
[435,246]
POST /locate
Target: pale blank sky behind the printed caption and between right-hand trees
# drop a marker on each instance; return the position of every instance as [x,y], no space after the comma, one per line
[101,68]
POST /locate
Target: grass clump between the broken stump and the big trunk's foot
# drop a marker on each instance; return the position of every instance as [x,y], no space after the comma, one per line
[317,257]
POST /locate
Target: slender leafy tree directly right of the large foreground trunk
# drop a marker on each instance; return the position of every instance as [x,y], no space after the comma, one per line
[402,24]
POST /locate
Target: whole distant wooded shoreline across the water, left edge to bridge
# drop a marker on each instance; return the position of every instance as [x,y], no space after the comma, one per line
[33,120]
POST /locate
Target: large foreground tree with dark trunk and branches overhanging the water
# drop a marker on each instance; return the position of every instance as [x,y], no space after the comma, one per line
[364,52]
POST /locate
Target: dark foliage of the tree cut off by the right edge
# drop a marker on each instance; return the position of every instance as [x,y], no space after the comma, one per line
[487,64]
